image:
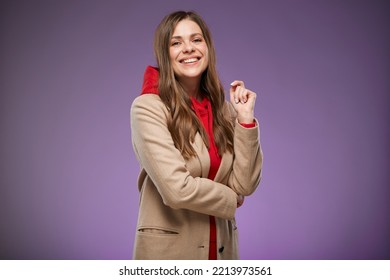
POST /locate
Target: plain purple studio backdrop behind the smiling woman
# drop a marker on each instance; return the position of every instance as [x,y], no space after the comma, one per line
[70,70]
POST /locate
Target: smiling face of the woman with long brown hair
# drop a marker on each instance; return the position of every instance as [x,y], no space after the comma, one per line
[188,51]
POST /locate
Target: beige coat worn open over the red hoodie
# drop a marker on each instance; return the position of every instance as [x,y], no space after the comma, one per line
[176,197]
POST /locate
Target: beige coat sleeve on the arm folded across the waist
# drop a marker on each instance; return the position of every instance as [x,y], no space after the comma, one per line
[164,164]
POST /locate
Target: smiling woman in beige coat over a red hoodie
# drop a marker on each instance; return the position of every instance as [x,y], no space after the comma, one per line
[199,155]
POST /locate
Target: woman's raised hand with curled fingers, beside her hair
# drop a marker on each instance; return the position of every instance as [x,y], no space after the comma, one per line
[243,101]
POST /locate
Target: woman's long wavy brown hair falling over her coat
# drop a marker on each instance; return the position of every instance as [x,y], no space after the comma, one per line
[183,123]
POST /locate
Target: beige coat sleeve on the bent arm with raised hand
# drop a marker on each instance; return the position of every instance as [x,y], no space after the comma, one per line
[248,157]
